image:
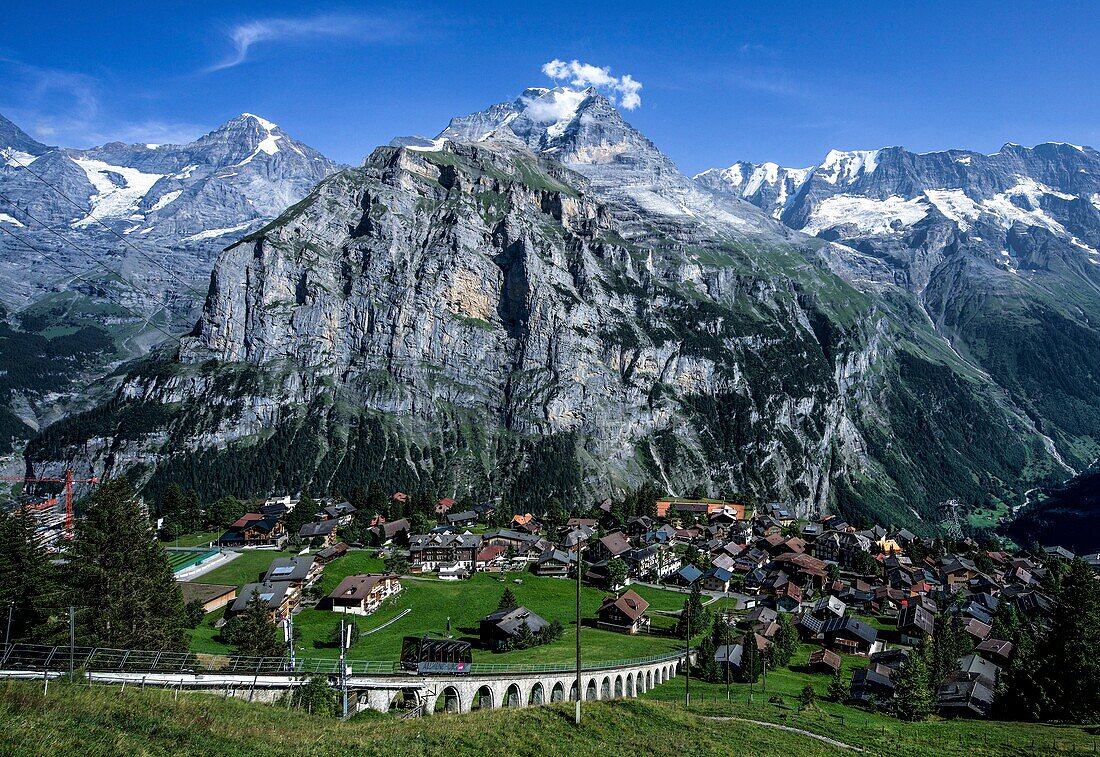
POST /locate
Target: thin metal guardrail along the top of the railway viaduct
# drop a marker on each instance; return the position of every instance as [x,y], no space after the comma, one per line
[31,657]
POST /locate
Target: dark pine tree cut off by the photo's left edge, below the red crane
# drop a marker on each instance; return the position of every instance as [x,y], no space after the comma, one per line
[27,579]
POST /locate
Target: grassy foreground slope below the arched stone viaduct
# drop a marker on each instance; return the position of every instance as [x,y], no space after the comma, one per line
[106,721]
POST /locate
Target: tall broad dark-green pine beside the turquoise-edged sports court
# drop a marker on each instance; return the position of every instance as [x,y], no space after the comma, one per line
[120,578]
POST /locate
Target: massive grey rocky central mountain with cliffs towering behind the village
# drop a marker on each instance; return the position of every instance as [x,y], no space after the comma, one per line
[538,305]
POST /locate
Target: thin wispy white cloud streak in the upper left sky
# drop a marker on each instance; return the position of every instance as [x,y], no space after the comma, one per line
[248,36]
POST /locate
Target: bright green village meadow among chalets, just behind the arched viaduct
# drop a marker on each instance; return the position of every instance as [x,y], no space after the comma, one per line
[433,602]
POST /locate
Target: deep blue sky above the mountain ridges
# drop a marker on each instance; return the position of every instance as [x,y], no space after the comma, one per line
[720,82]
